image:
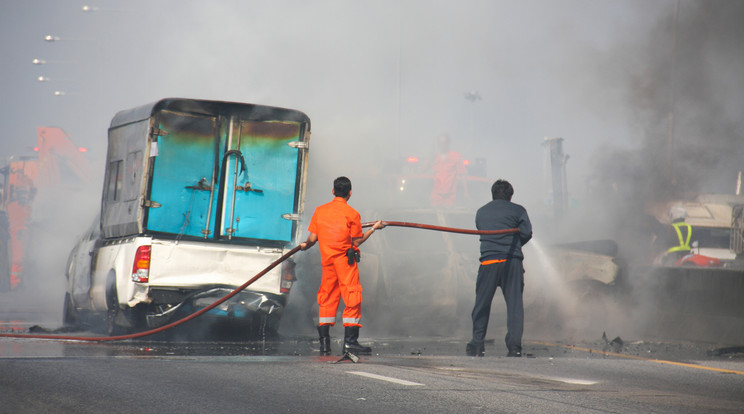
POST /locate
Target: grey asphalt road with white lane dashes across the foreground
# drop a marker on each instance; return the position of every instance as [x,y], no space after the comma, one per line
[417,375]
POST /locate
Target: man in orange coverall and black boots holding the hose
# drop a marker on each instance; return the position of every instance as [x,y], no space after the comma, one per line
[337,228]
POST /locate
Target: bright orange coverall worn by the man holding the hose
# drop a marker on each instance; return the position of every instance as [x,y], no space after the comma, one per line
[336,223]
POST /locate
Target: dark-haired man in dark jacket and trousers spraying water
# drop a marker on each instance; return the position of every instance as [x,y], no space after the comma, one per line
[501,265]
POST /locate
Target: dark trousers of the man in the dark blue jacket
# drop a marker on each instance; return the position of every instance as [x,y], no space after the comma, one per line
[510,277]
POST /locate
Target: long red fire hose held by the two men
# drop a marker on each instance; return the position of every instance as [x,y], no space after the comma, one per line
[241,287]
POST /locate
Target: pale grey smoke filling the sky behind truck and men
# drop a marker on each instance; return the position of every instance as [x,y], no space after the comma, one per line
[382,80]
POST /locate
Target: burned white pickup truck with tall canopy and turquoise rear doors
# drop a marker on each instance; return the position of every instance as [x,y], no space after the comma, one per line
[198,197]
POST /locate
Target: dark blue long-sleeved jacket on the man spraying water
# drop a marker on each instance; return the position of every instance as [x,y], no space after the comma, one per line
[500,215]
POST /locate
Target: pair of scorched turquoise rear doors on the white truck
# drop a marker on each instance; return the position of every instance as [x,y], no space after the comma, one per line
[190,198]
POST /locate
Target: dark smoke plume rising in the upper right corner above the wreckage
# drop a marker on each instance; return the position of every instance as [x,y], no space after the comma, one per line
[687,109]
